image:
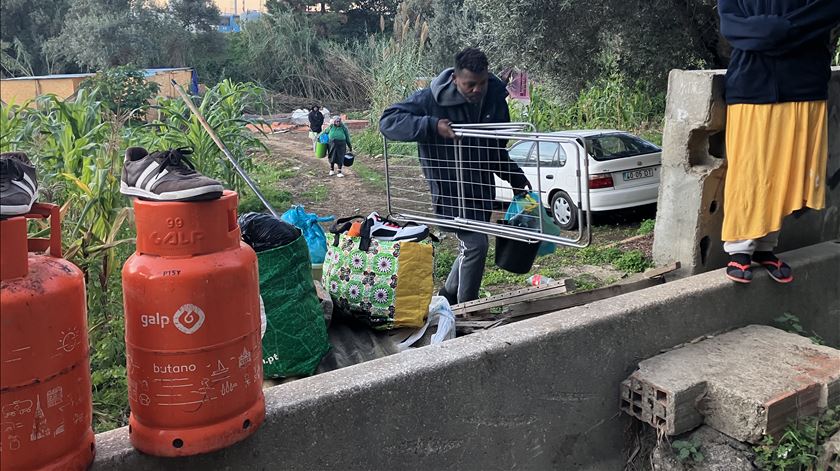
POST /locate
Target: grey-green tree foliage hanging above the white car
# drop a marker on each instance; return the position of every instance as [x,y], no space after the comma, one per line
[571,43]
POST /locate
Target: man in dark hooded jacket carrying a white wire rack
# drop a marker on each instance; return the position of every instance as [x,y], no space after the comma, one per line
[467,93]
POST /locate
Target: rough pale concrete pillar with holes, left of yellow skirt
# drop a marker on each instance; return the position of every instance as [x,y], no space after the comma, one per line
[688,219]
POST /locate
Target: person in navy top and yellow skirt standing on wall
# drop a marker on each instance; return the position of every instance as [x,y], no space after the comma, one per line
[776,125]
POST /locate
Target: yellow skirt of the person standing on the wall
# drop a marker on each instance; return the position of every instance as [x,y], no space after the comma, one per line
[776,162]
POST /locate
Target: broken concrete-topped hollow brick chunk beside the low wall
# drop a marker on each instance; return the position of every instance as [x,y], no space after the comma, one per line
[745,383]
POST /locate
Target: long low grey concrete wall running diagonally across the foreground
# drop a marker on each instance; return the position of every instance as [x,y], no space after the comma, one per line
[538,394]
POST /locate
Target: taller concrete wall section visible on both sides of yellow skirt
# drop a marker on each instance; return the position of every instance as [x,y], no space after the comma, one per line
[690,210]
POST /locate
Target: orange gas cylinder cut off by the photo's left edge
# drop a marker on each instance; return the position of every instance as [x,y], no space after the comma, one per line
[45,382]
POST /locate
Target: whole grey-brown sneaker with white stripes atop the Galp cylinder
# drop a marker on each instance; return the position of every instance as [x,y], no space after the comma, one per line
[165,176]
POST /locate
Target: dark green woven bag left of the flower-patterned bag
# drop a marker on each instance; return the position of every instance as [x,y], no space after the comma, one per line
[295,337]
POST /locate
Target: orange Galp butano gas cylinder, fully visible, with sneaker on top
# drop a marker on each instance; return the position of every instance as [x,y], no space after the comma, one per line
[192,315]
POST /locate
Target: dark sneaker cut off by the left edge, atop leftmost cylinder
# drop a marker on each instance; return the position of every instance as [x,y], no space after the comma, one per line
[18,184]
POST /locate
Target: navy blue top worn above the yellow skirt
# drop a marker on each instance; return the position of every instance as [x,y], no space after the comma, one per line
[781,49]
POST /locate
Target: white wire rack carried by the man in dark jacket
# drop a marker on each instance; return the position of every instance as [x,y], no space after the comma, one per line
[469,182]
